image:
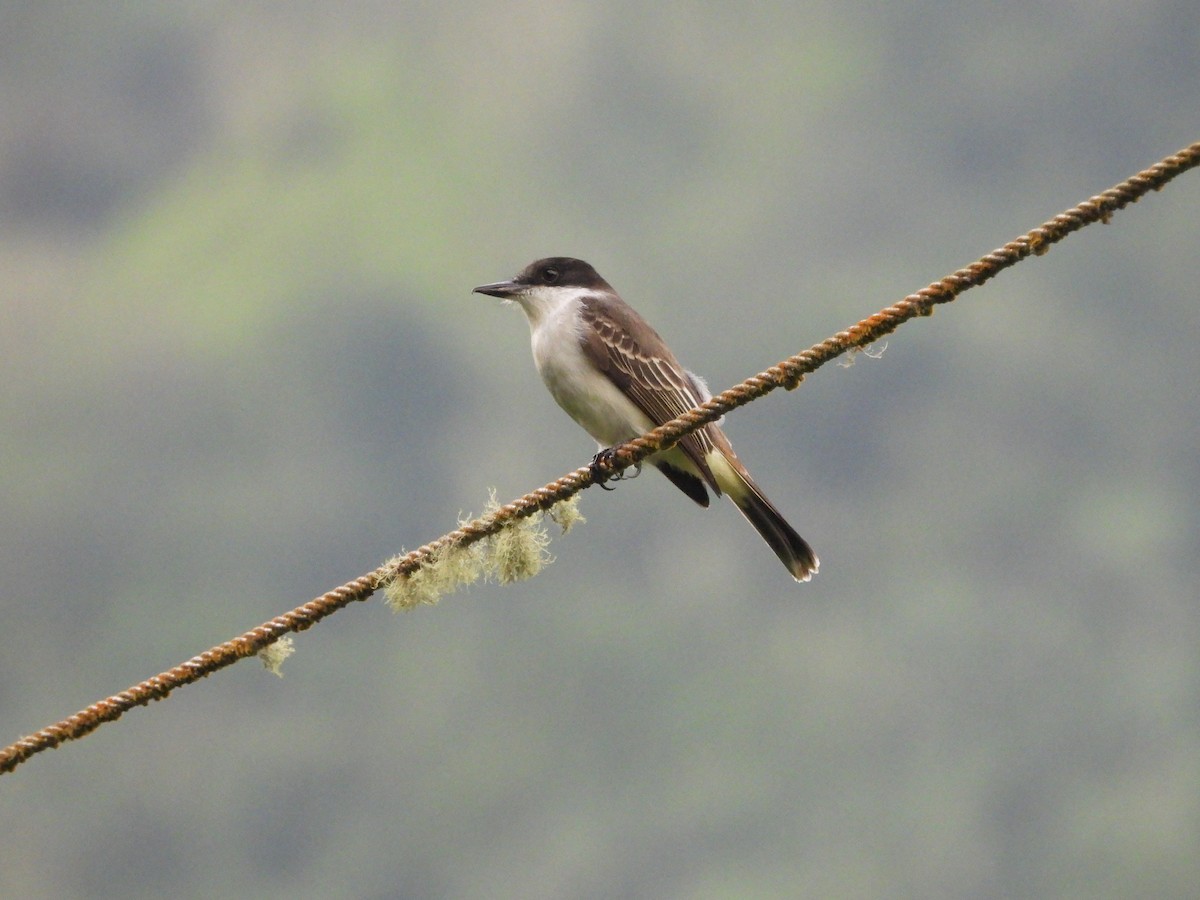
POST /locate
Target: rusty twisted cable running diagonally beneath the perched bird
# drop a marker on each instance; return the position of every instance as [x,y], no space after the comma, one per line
[788,374]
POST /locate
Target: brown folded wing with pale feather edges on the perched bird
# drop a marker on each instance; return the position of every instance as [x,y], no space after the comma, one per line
[634,358]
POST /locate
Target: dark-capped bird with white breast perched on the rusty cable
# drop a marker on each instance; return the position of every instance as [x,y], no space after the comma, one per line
[617,379]
